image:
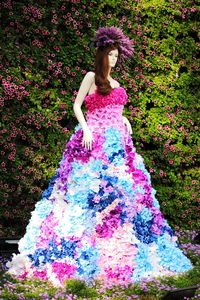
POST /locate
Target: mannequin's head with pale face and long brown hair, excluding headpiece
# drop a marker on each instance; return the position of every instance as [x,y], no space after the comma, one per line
[106,59]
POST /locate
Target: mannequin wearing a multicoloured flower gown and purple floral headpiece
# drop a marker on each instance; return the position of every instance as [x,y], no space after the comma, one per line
[99,218]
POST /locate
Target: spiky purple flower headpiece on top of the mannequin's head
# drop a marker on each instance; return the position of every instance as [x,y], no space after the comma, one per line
[106,36]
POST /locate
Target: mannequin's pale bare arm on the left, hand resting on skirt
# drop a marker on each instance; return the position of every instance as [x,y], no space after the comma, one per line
[83,90]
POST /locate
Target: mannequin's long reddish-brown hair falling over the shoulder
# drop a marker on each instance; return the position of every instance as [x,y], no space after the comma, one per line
[102,67]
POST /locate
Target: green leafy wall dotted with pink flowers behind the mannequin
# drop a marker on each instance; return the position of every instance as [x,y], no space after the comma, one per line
[45,52]
